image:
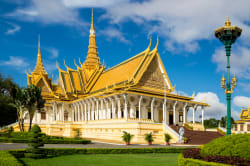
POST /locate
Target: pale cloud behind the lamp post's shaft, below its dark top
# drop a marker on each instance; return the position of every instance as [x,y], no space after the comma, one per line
[239,61]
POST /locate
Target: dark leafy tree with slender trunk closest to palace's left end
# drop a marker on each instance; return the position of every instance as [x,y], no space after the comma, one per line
[34,101]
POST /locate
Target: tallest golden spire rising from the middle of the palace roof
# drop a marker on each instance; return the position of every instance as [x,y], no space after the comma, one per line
[92,60]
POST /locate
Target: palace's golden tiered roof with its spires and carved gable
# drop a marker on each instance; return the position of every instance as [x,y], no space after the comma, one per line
[142,74]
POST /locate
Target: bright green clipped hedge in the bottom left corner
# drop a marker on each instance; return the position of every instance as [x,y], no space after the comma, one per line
[8,159]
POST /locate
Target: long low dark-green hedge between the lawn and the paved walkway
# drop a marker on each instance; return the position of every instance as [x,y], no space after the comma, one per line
[69,151]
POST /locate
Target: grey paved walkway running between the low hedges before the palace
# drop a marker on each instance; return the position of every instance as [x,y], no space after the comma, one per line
[9,146]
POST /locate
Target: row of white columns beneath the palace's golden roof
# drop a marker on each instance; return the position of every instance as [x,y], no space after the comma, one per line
[125,106]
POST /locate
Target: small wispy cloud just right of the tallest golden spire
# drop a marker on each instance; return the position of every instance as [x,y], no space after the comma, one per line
[112,33]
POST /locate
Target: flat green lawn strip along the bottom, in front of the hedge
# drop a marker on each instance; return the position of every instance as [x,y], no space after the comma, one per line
[153,159]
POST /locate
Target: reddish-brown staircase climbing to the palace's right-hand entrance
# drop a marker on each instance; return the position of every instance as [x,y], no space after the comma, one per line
[197,137]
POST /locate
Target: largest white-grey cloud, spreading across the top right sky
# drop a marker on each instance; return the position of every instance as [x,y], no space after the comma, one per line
[183,23]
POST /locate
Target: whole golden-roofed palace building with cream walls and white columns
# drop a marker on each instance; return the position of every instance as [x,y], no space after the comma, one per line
[134,96]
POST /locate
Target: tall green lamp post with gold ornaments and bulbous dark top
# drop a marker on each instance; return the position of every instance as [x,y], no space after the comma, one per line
[227,34]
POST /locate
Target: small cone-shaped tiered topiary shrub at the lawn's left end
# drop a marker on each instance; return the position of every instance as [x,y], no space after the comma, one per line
[35,143]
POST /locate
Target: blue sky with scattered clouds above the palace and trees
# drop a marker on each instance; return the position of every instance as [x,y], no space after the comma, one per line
[194,59]
